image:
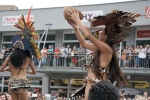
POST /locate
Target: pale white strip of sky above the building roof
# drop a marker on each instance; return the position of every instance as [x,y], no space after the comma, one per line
[26,4]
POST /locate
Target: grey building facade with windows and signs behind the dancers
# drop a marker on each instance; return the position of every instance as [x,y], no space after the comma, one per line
[60,32]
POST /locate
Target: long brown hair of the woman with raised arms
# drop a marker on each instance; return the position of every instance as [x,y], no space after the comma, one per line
[115,73]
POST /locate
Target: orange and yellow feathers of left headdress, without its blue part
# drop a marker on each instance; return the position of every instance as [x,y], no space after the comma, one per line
[28,30]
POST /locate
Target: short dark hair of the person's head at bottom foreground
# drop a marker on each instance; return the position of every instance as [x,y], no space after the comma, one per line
[103,90]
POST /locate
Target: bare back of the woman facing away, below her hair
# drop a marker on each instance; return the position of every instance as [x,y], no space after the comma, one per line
[20,72]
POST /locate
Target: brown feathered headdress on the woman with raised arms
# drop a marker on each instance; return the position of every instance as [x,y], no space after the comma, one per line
[118,24]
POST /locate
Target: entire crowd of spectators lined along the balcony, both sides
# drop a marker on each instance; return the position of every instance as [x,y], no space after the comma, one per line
[128,56]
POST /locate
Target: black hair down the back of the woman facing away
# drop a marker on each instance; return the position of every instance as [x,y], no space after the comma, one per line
[18,57]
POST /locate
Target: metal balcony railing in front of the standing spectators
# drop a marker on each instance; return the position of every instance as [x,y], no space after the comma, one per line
[130,61]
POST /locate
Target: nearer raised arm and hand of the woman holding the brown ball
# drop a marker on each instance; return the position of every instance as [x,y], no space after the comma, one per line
[102,46]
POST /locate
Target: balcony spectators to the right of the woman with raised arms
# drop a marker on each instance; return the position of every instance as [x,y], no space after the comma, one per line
[134,57]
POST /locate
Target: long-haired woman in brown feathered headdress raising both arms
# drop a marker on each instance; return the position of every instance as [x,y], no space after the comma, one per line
[104,65]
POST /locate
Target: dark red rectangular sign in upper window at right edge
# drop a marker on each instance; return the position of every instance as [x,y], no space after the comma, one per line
[143,34]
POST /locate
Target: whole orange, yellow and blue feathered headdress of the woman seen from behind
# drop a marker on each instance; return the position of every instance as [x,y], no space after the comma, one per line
[27,36]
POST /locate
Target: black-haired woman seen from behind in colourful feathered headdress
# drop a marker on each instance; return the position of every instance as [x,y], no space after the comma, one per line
[20,59]
